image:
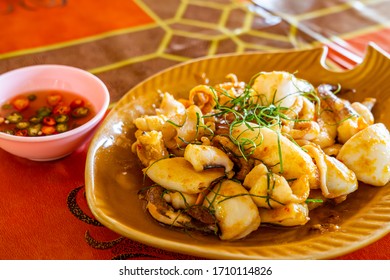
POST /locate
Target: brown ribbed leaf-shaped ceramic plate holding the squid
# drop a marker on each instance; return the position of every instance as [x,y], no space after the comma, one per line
[113,173]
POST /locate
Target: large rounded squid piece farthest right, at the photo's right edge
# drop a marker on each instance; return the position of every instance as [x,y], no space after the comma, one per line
[367,153]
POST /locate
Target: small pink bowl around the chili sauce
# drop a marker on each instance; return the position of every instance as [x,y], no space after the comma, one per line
[56,77]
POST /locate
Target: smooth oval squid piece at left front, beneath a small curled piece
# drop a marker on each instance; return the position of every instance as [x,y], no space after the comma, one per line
[178,174]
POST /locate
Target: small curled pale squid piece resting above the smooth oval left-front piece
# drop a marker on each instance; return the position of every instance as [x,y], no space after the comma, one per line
[205,157]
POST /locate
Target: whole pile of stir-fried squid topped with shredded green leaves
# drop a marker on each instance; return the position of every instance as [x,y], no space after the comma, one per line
[236,155]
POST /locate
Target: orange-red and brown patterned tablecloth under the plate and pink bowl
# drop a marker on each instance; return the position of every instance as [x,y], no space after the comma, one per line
[44,213]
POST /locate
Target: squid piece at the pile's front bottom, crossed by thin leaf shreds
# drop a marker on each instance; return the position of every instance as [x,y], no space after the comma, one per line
[236,213]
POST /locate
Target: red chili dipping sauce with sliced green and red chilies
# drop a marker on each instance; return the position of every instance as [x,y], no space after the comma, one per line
[44,112]
